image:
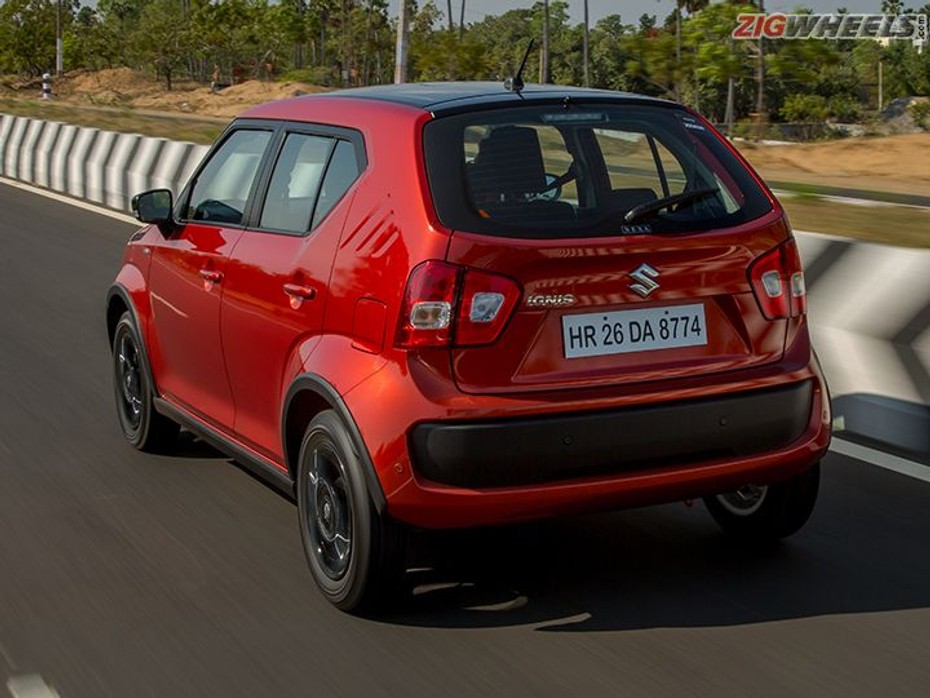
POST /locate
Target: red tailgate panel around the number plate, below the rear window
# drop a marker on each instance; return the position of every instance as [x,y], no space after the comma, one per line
[710,267]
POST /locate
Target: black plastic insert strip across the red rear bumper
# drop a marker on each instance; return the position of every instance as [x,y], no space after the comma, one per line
[538,450]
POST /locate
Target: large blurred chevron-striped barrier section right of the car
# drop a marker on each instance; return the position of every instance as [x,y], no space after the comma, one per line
[869,307]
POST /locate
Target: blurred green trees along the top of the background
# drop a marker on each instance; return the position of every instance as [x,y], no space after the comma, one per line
[688,55]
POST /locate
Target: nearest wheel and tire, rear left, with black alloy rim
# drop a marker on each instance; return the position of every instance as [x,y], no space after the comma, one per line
[355,554]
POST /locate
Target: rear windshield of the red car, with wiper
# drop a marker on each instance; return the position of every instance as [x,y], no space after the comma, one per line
[580,170]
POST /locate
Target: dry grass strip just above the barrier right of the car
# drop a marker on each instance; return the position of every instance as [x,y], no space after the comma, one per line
[903,226]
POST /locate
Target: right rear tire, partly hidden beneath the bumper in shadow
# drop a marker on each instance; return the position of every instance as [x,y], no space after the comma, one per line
[767,512]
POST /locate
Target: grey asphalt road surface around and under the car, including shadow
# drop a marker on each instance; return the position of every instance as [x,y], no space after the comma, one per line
[124,574]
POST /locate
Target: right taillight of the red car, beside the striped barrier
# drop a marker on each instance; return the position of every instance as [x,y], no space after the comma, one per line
[778,282]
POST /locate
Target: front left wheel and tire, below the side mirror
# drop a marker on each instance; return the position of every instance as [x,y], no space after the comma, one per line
[143,427]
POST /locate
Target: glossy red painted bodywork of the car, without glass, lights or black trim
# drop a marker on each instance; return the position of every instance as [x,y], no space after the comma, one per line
[227,352]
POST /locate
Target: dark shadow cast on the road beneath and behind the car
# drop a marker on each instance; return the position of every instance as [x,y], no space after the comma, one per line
[863,551]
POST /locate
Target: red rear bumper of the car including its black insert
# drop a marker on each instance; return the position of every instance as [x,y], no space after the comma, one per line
[630,448]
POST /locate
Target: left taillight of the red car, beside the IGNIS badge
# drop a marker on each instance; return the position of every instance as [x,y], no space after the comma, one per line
[445,305]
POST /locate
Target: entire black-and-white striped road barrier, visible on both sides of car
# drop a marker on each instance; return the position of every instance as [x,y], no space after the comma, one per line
[869,304]
